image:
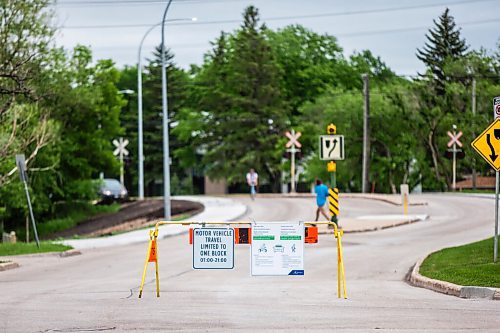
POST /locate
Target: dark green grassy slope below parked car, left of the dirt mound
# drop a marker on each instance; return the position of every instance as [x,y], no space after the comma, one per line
[79,213]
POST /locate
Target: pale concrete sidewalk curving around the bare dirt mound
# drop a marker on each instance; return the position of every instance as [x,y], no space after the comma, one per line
[216,209]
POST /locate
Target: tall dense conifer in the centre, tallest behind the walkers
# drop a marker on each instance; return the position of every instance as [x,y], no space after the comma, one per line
[242,105]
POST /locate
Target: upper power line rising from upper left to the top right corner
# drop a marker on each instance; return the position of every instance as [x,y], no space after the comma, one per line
[279,18]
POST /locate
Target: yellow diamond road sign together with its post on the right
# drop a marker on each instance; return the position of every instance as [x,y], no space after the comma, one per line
[487,144]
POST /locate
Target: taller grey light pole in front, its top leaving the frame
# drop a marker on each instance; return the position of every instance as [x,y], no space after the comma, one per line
[166,151]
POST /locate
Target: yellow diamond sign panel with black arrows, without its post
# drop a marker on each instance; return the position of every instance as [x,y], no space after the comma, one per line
[487,144]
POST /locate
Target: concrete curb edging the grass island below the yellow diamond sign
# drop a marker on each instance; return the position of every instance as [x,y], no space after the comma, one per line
[418,280]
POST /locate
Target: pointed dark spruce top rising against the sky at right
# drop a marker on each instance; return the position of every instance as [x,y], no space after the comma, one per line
[444,44]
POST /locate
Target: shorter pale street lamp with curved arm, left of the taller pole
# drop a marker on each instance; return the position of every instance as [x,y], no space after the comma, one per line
[139,104]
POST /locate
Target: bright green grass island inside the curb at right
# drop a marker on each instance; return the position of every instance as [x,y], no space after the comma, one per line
[467,265]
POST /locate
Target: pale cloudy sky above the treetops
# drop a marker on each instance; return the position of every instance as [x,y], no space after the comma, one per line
[391,29]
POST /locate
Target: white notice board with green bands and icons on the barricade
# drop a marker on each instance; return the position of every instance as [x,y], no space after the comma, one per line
[277,249]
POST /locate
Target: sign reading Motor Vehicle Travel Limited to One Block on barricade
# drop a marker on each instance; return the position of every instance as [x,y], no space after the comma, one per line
[213,248]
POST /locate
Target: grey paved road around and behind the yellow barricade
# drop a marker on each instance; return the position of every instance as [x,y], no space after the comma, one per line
[97,291]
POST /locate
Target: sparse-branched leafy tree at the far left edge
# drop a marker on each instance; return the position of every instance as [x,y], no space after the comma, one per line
[25,35]
